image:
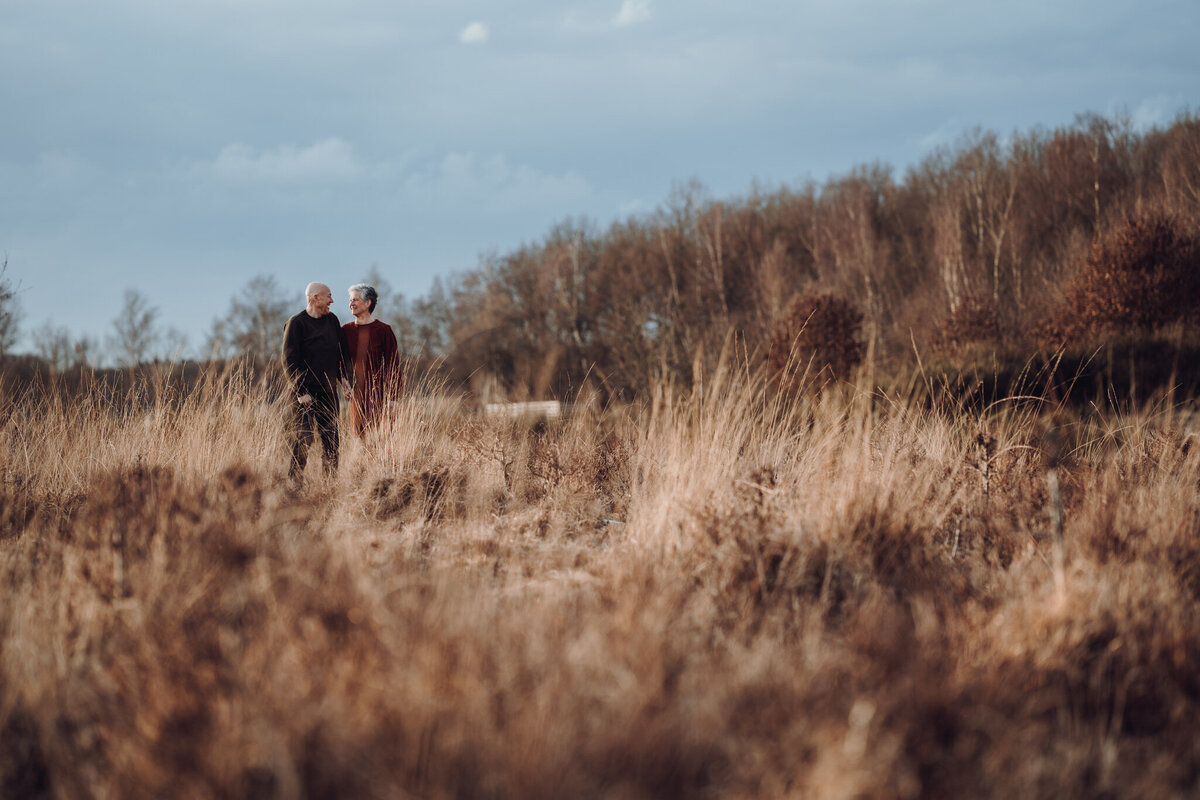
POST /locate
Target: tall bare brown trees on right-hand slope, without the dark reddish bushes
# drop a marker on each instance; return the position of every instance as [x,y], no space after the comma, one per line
[981,243]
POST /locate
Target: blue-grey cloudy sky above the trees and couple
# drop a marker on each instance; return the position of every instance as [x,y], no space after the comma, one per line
[182,149]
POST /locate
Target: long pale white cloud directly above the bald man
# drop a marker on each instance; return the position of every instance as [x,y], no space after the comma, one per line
[331,160]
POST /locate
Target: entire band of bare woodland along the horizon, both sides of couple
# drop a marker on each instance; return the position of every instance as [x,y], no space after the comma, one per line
[988,251]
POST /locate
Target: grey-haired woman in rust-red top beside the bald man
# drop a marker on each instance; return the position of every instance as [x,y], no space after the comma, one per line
[379,377]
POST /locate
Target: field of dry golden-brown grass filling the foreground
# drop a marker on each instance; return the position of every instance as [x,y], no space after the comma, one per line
[719,594]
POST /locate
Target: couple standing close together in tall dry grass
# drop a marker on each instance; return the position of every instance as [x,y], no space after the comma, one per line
[325,360]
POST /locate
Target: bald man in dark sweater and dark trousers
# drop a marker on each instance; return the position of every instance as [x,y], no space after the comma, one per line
[316,359]
